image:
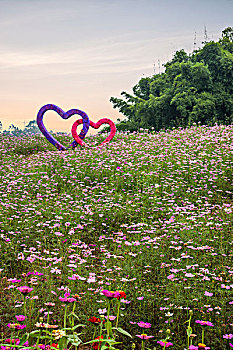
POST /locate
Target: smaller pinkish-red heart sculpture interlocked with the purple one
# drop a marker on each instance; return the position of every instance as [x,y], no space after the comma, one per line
[95,126]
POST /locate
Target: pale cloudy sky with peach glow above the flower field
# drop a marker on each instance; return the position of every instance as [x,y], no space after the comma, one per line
[79,53]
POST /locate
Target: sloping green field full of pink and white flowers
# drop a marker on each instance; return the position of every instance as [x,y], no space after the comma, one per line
[120,247]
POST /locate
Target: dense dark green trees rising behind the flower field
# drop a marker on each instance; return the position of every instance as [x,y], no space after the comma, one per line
[195,88]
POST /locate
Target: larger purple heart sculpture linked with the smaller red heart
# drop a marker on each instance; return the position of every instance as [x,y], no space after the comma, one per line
[64,115]
